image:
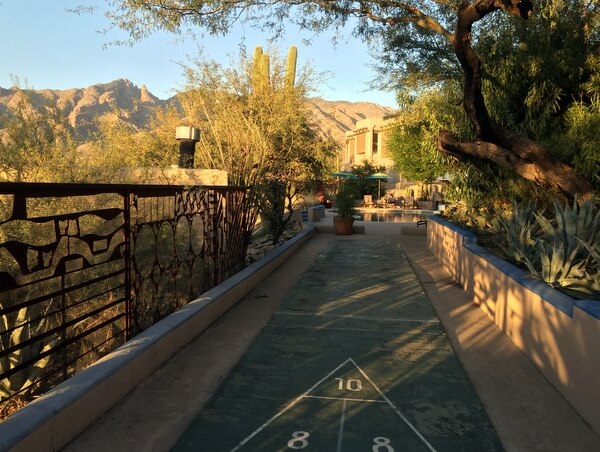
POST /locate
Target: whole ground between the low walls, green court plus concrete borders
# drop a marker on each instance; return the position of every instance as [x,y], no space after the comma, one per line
[278,387]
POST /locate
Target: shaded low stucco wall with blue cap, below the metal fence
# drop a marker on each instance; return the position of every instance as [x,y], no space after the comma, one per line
[53,420]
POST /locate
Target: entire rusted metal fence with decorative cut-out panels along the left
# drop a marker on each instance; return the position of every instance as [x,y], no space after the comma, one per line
[83,268]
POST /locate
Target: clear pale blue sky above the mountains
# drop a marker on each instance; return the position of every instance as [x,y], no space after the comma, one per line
[45,46]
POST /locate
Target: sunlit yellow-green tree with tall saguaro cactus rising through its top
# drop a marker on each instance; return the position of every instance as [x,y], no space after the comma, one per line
[256,126]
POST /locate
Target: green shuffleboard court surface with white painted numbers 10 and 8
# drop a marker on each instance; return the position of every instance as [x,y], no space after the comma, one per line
[354,360]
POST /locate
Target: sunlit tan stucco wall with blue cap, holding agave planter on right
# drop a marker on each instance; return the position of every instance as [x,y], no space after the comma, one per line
[560,335]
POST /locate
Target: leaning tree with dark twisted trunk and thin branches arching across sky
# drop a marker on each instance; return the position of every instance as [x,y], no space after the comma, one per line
[434,27]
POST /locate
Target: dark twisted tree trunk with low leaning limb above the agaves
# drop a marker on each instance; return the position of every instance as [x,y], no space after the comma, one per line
[508,149]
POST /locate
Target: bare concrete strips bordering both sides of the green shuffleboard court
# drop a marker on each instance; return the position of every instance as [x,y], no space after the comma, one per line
[525,411]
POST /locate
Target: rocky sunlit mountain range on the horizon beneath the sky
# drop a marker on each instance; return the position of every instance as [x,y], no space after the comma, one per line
[136,105]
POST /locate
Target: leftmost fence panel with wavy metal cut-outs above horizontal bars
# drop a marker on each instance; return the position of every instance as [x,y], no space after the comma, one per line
[62,287]
